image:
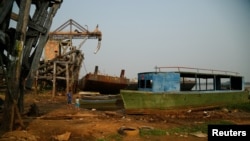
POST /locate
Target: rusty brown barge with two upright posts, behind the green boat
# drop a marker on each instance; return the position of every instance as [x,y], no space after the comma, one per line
[104,84]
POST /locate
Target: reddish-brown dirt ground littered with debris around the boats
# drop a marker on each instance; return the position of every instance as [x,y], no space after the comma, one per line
[57,121]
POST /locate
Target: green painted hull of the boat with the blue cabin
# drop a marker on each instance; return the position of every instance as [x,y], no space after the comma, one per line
[149,100]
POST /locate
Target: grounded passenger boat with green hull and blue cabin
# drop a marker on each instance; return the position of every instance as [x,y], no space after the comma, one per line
[162,90]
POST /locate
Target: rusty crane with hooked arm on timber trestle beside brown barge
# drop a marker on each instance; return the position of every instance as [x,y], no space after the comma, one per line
[62,60]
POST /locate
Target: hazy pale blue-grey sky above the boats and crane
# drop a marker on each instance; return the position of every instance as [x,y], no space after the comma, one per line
[141,34]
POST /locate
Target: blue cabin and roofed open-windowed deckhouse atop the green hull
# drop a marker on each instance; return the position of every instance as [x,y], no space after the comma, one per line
[191,79]
